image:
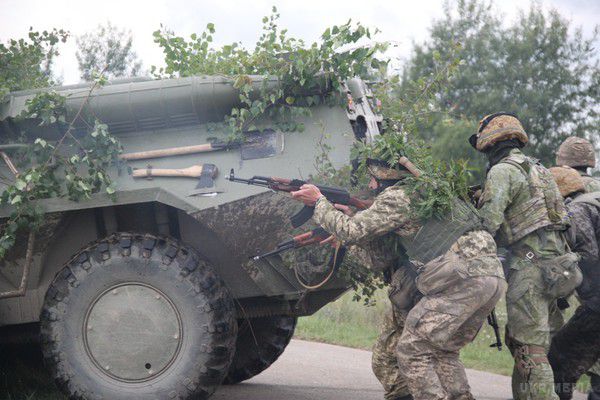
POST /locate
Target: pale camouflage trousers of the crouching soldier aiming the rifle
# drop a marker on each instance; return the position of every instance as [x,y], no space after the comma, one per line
[437,328]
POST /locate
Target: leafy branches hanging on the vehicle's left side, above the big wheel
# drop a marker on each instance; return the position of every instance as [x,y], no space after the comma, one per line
[54,169]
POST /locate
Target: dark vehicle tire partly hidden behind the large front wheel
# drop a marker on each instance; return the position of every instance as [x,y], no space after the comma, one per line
[259,344]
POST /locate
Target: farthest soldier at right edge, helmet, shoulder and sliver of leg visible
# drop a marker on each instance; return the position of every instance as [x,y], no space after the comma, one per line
[580,154]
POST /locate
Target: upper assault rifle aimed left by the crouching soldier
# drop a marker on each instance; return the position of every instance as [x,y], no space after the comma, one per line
[334,195]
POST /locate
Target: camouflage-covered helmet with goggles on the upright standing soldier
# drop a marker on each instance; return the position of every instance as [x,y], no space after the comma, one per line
[498,127]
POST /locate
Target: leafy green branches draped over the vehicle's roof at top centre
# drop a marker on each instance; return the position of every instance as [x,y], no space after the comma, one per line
[293,76]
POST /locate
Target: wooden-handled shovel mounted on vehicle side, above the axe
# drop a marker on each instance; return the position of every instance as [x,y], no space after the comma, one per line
[257,145]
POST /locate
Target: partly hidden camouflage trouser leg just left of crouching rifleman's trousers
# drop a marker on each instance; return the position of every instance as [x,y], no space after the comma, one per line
[385,361]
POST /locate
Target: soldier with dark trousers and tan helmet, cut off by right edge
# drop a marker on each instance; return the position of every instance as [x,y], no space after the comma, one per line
[576,347]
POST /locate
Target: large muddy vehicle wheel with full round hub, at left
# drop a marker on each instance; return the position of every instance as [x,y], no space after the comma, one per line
[138,317]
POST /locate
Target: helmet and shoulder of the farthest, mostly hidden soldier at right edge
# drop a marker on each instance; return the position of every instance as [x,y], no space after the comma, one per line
[578,153]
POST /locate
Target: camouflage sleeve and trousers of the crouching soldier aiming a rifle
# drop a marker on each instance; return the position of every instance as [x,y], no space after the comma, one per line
[442,323]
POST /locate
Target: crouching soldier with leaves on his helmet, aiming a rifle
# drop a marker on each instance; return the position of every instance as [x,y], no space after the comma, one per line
[459,275]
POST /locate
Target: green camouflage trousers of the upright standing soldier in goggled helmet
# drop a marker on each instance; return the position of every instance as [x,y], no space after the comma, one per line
[533,318]
